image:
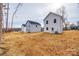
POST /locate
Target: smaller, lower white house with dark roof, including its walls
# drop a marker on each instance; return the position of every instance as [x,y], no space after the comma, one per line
[31,26]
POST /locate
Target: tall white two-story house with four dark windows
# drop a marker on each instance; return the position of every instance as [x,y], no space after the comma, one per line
[53,23]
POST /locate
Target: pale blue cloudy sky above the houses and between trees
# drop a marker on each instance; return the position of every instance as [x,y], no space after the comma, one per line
[38,11]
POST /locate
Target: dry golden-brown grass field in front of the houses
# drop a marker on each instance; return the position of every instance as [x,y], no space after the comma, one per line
[40,44]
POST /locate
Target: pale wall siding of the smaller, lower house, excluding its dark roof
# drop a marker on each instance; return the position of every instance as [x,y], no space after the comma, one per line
[31,27]
